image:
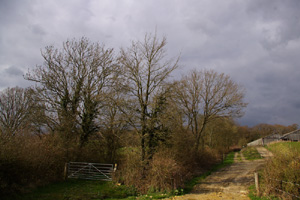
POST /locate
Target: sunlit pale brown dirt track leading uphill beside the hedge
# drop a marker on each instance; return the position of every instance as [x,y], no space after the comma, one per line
[229,183]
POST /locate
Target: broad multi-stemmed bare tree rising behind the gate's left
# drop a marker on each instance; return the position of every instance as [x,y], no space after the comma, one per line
[72,82]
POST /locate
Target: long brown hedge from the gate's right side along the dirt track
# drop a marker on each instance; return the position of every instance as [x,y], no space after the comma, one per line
[166,171]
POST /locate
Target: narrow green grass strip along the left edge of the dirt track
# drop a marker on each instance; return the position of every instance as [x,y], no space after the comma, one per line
[196,180]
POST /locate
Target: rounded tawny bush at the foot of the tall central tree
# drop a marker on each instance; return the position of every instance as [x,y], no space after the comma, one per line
[162,173]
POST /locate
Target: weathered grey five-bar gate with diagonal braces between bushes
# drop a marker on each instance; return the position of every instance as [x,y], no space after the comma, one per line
[90,171]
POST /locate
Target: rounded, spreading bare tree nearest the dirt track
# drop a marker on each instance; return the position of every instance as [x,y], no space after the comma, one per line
[206,95]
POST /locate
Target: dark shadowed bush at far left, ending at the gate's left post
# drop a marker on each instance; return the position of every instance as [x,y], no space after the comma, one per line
[26,161]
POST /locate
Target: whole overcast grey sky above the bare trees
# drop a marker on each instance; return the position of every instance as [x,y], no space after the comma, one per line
[255,42]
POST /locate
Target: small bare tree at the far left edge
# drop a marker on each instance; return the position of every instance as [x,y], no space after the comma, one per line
[16,106]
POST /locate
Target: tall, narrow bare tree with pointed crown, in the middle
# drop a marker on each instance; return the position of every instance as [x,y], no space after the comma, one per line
[146,70]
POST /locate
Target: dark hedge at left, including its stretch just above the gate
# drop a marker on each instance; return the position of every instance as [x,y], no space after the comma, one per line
[27,161]
